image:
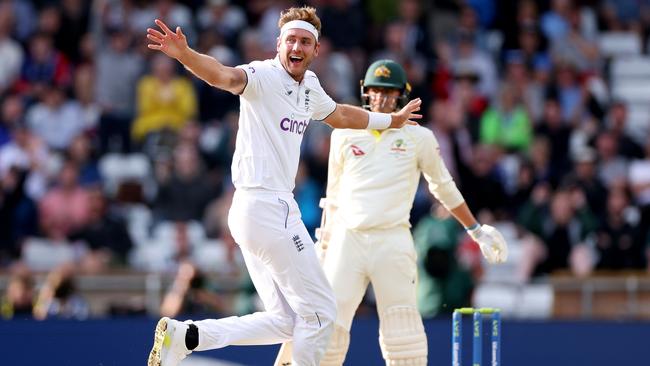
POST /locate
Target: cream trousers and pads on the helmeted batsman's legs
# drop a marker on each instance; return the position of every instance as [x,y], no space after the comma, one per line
[387,259]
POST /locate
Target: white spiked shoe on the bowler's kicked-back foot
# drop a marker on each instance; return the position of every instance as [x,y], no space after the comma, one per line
[169,343]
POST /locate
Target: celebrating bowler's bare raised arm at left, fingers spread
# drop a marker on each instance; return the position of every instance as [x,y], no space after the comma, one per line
[206,68]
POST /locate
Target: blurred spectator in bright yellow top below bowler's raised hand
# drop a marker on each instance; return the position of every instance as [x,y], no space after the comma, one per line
[165,101]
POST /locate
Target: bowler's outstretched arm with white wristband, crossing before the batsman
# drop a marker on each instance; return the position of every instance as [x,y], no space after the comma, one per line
[347,116]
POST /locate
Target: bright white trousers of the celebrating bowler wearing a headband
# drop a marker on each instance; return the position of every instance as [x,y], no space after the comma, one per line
[282,262]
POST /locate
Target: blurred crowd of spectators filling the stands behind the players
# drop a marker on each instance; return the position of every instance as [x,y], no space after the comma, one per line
[114,157]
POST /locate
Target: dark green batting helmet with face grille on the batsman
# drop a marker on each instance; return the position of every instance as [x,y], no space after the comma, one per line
[385,74]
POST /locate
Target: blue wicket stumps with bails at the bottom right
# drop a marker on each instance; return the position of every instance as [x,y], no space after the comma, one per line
[477,339]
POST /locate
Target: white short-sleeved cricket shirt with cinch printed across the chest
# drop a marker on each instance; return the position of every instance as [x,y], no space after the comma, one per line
[275,111]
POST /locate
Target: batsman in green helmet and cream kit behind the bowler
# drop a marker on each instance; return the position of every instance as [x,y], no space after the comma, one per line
[365,236]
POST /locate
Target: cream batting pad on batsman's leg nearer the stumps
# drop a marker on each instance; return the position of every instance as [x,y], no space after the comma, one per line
[402,338]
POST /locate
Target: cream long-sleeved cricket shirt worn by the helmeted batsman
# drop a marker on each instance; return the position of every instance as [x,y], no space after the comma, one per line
[372,177]
